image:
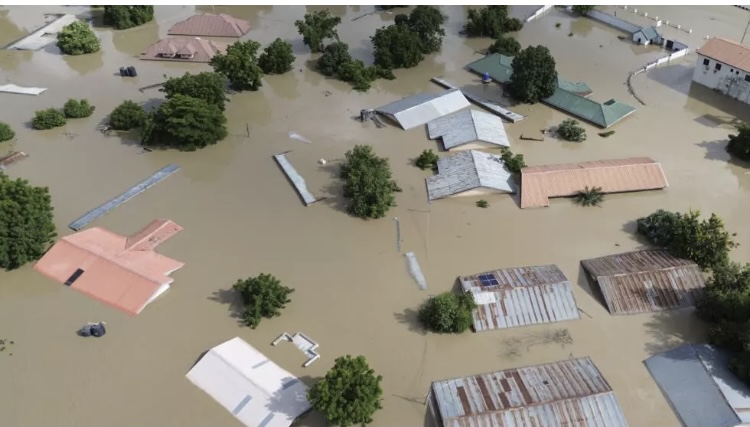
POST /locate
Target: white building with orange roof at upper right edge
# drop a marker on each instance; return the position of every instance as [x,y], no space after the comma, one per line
[724,65]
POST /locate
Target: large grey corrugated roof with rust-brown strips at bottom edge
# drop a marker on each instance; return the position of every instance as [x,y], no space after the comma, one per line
[567,393]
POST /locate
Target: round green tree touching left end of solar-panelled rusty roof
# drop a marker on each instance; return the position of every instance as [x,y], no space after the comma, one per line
[447,313]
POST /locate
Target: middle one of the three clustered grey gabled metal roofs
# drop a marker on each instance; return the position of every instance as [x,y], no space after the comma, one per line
[463,127]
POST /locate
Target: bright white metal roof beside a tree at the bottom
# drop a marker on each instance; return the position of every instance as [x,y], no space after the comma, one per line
[255,390]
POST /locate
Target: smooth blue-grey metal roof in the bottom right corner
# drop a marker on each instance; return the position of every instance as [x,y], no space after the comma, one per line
[698,385]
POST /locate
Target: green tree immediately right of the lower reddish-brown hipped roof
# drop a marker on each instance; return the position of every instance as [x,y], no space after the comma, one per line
[240,65]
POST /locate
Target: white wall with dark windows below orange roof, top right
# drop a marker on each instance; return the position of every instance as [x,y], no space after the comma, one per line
[727,79]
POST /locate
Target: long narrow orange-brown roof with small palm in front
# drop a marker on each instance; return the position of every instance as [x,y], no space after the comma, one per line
[540,183]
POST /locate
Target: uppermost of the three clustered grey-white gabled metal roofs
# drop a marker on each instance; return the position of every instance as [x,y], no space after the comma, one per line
[419,109]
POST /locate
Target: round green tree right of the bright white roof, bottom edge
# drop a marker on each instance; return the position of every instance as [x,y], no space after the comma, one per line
[349,394]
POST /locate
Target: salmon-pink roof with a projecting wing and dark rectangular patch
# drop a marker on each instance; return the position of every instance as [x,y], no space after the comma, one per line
[123,272]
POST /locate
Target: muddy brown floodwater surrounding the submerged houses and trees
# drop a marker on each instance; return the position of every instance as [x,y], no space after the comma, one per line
[353,293]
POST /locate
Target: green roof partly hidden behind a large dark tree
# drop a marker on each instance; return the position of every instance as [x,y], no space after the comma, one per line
[569,97]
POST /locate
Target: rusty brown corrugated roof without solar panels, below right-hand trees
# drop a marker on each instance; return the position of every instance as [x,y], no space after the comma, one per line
[646,281]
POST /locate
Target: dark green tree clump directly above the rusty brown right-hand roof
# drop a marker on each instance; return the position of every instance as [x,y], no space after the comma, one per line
[704,242]
